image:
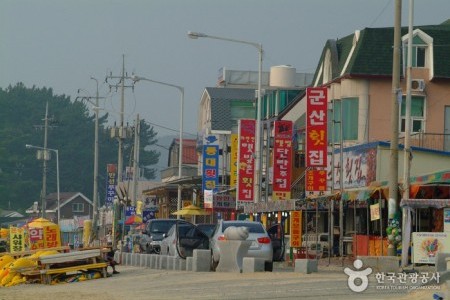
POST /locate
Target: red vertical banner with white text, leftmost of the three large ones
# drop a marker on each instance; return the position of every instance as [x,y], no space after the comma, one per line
[246,160]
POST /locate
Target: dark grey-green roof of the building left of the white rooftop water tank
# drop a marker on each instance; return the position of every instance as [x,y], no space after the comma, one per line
[221,104]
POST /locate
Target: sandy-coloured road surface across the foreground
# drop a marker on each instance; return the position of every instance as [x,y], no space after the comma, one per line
[143,283]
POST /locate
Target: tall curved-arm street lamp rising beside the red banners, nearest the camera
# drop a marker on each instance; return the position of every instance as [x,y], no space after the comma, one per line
[258,46]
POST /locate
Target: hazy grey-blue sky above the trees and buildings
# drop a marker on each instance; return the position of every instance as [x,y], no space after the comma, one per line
[60,44]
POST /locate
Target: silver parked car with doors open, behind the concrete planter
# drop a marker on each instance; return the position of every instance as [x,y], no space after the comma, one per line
[261,246]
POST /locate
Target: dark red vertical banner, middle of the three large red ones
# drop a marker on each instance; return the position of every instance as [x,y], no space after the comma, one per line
[282,160]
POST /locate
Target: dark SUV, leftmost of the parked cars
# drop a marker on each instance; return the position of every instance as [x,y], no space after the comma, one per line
[153,234]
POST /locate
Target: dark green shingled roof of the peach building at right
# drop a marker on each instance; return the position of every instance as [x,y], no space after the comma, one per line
[373,54]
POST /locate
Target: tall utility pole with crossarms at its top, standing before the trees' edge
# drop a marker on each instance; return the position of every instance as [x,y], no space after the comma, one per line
[122,131]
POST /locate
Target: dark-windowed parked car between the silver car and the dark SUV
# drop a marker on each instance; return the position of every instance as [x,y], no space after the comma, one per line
[182,239]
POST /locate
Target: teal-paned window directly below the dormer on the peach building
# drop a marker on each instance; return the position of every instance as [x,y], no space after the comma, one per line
[417,114]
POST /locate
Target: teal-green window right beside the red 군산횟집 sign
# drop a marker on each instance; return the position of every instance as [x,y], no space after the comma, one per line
[350,111]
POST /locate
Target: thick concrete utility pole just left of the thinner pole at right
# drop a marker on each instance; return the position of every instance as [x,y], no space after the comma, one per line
[396,94]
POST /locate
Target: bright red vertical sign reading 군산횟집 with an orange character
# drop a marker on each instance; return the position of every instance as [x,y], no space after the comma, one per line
[316,127]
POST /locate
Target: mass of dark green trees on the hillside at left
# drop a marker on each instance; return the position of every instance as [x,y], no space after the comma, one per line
[71,132]
